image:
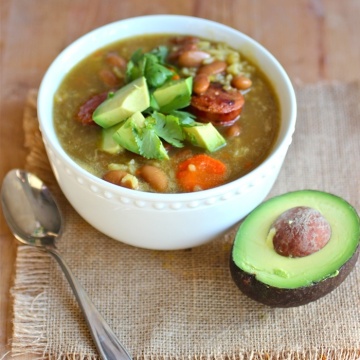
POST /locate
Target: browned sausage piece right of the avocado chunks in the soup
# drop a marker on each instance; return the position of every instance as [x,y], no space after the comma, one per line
[217,105]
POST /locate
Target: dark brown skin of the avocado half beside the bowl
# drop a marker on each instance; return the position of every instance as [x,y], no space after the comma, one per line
[285,298]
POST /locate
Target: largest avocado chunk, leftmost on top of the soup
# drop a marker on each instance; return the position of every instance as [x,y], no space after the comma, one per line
[126,101]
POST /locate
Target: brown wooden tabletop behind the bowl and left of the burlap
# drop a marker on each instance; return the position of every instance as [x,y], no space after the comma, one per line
[315,40]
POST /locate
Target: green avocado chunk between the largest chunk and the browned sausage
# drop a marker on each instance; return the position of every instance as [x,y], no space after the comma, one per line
[175,94]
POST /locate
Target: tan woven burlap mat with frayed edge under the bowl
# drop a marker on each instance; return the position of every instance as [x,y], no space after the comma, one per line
[183,304]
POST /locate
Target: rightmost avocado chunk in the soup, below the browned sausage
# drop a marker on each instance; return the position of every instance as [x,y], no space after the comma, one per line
[205,136]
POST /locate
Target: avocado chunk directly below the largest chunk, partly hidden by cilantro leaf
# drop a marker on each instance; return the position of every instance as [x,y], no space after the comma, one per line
[125,136]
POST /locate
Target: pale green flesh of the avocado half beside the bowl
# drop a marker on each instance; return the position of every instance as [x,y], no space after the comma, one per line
[254,254]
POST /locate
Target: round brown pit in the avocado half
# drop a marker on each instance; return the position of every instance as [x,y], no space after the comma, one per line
[300,231]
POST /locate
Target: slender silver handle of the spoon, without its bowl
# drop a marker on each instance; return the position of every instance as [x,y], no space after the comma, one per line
[105,340]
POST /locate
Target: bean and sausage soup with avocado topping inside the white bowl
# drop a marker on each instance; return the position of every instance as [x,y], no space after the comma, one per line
[223,129]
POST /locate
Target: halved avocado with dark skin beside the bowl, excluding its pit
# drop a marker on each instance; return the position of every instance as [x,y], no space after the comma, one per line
[280,281]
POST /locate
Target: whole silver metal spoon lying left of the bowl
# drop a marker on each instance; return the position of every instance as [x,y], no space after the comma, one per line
[35,219]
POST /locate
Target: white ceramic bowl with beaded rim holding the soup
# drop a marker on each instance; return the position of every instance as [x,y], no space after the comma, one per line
[163,221]
